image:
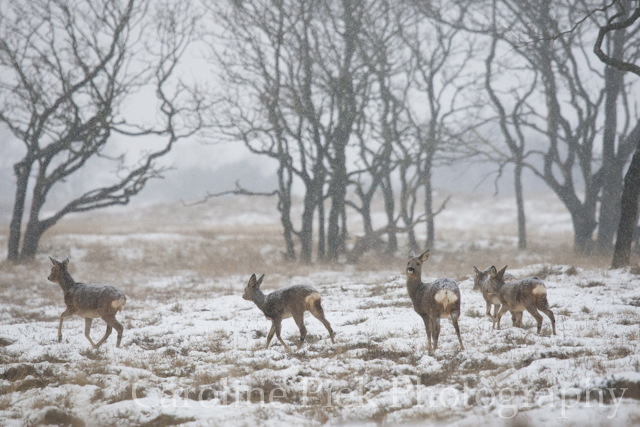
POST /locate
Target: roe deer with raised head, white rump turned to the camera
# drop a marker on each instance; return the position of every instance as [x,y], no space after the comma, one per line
[433,301]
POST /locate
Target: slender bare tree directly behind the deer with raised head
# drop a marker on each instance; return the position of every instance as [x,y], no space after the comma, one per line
[438,76]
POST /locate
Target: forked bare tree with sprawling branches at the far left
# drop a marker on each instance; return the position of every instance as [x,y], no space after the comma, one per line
[67,71]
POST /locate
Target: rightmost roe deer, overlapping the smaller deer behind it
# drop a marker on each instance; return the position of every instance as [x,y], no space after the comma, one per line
[527,294]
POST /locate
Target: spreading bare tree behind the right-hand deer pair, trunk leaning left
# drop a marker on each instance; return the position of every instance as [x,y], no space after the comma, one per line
[570,123]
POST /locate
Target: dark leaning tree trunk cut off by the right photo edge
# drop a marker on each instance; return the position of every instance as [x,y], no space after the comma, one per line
[629,213]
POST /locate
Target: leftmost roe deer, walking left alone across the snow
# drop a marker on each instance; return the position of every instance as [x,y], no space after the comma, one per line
[88,301]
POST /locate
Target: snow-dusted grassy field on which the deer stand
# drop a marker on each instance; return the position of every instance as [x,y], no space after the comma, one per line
[193,350]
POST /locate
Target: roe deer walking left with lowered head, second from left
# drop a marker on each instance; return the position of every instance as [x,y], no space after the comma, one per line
[291,301]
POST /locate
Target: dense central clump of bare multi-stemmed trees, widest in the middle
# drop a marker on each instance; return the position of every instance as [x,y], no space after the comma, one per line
[293,88]
